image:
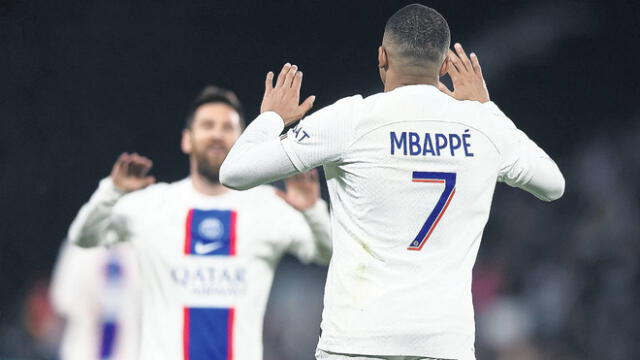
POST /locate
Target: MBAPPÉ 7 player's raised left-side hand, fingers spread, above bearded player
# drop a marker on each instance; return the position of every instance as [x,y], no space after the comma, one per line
[284,97]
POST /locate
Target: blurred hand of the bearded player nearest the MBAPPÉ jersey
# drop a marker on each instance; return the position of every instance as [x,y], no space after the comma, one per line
[303,190]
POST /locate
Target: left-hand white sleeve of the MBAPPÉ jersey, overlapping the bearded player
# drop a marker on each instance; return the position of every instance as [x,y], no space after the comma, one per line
[259,156]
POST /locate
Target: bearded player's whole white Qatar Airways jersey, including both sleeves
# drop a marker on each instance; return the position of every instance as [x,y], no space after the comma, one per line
[206,262]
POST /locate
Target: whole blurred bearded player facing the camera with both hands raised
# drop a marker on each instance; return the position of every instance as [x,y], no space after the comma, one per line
[206,253]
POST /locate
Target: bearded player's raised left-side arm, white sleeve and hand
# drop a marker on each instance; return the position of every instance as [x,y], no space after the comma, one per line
[97,223]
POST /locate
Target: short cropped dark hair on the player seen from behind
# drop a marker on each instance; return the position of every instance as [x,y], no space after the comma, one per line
[418,34]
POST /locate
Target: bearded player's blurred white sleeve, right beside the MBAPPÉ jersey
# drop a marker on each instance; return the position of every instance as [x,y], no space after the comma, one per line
[310,237]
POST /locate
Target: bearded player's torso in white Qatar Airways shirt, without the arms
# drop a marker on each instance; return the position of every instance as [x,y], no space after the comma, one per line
[207,265]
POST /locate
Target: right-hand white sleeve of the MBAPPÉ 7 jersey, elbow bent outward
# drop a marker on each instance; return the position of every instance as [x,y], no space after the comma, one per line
[525,165]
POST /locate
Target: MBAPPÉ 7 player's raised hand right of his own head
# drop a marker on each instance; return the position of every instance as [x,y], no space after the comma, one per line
[466,76]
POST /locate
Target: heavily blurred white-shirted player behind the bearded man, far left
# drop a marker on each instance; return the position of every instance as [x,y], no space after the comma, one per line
[96,291]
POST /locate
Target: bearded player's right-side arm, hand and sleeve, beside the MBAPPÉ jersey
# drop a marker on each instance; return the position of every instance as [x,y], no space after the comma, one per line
[310,240]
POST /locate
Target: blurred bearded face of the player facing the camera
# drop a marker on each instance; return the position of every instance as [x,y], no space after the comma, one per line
[215,127]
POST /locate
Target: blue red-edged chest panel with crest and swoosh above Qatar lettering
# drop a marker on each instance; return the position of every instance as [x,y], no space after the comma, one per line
[210,233]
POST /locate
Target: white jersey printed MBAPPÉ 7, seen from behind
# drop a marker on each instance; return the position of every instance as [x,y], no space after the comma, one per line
[411,174]
